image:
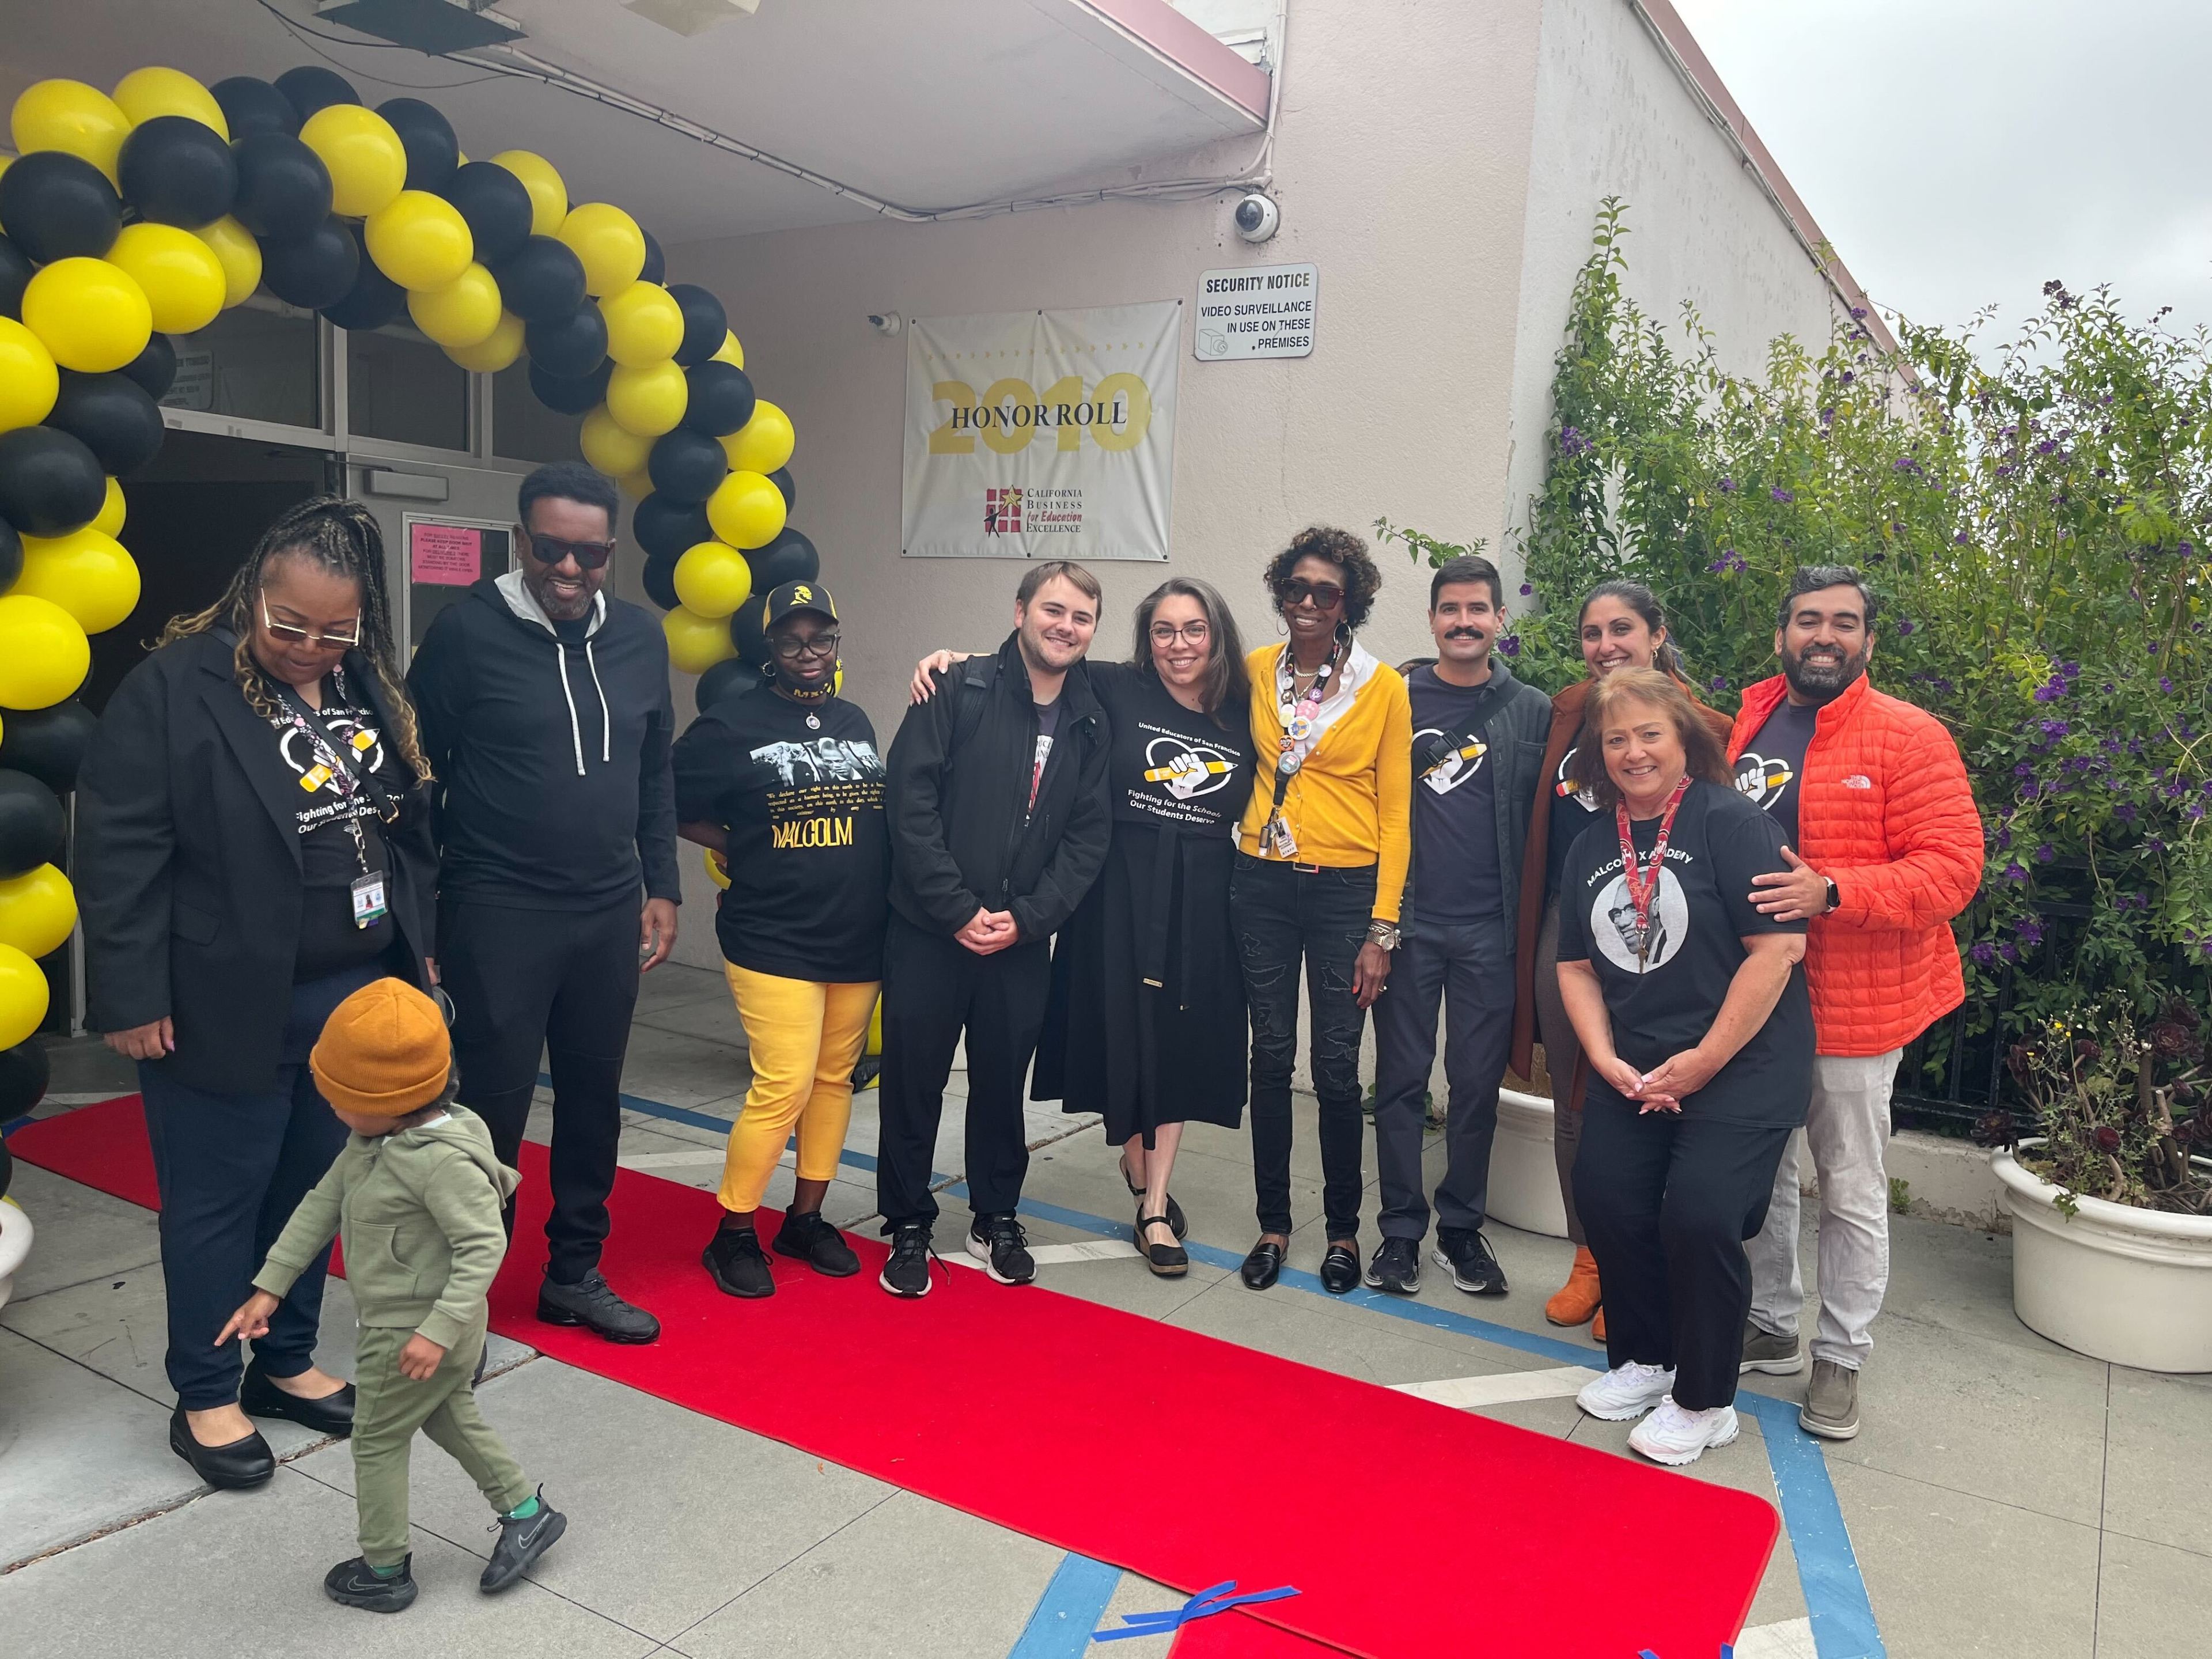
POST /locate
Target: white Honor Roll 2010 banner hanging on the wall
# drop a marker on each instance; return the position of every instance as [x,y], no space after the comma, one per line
[1043,435]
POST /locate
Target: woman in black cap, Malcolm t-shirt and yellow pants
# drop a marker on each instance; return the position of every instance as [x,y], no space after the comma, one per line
[784,782]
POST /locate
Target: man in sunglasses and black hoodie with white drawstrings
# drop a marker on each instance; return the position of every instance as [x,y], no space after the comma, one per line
[547,720]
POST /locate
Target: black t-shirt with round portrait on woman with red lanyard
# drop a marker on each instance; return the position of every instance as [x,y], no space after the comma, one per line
[1667,981]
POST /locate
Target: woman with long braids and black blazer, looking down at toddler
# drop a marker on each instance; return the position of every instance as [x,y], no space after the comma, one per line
[253,846]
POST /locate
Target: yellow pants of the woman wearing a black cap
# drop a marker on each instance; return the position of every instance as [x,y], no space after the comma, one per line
[806,1041]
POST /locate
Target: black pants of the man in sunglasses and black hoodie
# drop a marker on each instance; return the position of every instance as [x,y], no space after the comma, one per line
[565,983]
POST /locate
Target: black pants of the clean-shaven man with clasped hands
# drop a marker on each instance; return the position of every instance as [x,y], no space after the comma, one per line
[935,990]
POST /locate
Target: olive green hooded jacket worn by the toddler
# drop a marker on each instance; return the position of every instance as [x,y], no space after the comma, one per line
[419,1213]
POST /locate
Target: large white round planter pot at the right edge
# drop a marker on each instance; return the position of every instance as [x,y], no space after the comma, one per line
[2118,1284]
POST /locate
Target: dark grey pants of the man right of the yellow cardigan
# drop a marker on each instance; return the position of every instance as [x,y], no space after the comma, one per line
[1470,970]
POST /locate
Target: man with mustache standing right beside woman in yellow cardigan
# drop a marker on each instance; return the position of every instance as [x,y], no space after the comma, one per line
[1479,749]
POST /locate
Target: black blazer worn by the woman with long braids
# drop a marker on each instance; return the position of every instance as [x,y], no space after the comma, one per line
[189,873]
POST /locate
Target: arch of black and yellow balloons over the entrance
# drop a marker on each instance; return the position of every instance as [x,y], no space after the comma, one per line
[145,213]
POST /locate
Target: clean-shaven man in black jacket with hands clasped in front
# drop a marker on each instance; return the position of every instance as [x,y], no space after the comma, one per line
[999,826]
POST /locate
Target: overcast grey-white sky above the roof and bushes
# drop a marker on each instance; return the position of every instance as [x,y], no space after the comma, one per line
[1965,152]
